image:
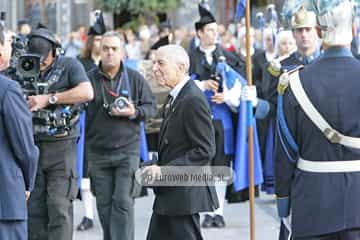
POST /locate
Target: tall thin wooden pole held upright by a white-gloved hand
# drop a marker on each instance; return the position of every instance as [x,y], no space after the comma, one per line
[250,130]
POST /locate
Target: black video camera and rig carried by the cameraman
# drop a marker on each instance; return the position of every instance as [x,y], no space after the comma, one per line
[25,69]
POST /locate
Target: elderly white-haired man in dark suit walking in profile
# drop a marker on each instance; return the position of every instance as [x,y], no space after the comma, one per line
[186,139]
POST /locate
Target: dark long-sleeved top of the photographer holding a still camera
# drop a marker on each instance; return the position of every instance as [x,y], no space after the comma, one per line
[112,134]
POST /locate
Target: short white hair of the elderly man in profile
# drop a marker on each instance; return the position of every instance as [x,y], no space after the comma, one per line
[176,54]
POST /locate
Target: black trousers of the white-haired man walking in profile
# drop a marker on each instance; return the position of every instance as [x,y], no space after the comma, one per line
[174,227]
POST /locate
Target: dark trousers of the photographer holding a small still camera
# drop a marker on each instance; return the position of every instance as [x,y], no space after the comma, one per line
[112,179]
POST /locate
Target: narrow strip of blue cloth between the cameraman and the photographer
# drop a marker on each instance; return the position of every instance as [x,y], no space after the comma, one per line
[81,148]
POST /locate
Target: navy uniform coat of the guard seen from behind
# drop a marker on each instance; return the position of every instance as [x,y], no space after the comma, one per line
[330,200]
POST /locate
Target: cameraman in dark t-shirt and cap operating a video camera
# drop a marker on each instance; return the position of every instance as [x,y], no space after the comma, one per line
[62,84]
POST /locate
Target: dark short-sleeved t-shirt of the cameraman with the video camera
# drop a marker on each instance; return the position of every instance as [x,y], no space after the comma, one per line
[72,75]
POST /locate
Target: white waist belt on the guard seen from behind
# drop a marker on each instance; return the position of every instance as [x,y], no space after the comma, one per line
[329,166]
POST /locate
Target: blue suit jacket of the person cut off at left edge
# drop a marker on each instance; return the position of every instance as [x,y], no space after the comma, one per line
[18,153]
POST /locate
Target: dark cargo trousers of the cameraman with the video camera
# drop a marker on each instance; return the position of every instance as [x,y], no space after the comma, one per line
[50,205]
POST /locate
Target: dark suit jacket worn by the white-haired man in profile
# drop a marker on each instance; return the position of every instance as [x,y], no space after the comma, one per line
[186,139]
